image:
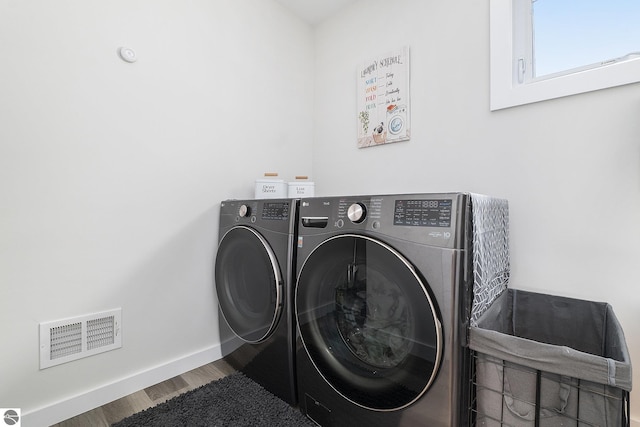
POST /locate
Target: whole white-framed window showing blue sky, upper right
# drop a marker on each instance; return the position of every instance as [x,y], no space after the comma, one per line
[545,49]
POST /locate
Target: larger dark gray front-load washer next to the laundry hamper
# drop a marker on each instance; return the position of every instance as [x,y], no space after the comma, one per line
[382,301]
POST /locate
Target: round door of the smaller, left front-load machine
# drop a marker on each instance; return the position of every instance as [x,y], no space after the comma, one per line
[248,283]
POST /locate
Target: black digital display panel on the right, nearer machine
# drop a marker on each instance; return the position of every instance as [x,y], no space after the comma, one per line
[423,213]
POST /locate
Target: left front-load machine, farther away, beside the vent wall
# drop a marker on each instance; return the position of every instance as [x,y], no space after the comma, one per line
[253,277]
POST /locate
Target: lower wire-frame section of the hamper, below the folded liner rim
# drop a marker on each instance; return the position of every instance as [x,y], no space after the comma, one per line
[512,395]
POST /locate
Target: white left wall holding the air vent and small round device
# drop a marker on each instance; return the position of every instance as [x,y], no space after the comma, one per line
[111,173]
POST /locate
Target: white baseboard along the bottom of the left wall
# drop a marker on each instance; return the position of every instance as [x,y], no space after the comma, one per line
[69,408]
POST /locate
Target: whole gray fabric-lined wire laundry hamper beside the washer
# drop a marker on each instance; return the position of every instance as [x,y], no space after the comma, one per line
[544,360]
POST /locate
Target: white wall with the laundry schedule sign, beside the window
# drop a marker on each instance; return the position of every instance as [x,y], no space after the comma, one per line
[570,168]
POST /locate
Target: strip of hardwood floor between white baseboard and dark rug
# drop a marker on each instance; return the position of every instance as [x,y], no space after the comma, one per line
[115,411]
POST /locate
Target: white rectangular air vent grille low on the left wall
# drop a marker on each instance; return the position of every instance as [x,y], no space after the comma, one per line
[65,340]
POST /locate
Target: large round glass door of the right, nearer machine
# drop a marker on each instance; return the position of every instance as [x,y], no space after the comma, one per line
[368,323]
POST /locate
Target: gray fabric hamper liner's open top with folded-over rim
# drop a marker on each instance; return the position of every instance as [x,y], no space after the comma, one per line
[565,336]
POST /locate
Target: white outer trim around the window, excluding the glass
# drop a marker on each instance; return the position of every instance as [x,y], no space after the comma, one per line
[507,92]
